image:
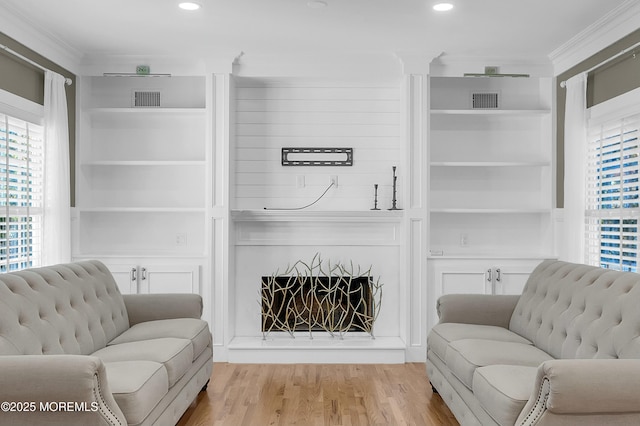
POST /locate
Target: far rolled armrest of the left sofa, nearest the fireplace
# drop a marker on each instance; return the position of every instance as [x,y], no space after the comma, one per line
[151,307]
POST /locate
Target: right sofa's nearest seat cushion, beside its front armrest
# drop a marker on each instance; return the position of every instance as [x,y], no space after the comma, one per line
[503,390]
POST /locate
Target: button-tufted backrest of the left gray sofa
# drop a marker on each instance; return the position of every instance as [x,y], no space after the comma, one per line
[73,308]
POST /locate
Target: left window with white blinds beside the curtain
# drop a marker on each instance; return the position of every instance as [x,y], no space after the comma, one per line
[21,185]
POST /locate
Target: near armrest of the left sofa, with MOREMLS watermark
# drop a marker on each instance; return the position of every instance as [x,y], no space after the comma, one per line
[56,389]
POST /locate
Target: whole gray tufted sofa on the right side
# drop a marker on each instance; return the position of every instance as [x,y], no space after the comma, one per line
[565,352]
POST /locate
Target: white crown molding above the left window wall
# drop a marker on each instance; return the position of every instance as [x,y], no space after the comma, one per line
[19,28]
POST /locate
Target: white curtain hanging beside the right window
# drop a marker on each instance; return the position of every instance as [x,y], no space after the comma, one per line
[575,166]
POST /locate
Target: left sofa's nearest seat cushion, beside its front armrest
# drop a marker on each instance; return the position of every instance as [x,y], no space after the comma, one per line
[137,386]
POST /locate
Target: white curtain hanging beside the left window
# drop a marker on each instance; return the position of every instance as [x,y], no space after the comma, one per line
[56,245]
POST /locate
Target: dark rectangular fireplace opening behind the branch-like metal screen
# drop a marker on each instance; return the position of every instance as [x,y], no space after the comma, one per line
[332,304]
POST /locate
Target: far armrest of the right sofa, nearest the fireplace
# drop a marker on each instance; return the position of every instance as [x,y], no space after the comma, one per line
[484,309]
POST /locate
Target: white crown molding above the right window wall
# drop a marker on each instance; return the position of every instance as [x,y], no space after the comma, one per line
[610,28]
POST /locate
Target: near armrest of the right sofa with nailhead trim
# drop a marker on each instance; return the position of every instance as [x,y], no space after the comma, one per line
[575,387]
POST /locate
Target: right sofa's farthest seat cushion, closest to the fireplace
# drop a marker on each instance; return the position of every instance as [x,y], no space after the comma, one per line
[443,334]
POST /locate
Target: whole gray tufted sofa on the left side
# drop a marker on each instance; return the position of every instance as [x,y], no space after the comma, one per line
[74,351]
